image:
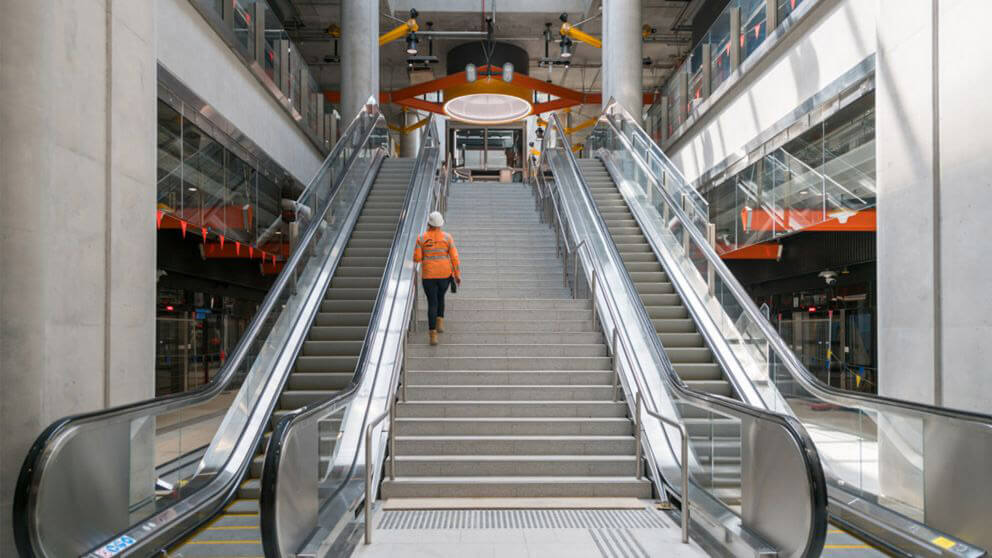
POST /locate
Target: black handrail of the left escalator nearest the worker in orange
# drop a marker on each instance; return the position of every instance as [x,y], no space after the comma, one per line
[280,434]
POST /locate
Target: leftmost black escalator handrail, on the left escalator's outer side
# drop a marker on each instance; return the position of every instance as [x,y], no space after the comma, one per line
[33,466]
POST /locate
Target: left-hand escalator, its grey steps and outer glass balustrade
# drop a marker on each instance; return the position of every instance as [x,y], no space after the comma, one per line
[164,473]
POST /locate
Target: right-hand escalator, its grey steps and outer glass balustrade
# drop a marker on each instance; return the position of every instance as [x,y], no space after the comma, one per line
[892,467]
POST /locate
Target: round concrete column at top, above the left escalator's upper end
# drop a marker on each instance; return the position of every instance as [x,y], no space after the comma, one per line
[359,55]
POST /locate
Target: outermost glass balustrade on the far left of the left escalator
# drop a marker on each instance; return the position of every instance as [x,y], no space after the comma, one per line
[97,482]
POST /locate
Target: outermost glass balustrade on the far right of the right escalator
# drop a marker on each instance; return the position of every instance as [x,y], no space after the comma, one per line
[891,465]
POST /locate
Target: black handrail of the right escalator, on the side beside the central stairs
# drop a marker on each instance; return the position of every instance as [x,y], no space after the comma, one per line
[726,406]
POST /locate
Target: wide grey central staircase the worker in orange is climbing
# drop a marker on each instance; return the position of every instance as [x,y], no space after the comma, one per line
[517,400]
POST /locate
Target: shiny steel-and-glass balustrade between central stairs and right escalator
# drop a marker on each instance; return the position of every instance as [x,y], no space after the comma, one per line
[786,523]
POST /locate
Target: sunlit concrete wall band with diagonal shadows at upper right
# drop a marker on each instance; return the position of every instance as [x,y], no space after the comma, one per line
[836,36]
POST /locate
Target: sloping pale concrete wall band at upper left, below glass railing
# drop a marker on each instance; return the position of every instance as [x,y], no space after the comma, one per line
[198,57]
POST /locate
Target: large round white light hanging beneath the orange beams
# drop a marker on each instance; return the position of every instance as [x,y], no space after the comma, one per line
[487,101]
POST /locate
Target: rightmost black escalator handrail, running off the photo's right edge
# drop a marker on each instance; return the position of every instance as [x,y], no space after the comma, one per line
[792,363]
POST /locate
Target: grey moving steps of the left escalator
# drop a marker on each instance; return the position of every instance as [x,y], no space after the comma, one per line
[327,361]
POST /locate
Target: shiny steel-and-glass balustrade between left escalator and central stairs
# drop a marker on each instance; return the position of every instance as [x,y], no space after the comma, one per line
[299,509]
